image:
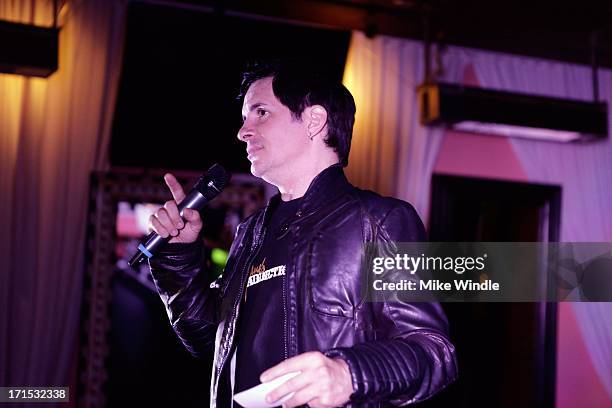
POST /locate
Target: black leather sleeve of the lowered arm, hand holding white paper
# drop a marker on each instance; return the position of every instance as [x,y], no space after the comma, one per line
[414,359]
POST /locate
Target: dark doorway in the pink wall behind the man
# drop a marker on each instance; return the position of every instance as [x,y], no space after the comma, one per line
[506,351]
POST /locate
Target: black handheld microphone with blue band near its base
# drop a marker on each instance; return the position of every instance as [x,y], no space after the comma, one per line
[205,189]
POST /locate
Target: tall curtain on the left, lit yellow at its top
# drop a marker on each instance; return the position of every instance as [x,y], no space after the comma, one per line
[53,132]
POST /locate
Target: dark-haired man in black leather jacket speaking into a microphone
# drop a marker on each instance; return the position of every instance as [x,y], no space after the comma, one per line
[290,298]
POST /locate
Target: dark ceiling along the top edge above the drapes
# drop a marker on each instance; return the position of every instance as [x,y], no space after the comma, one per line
[547,29]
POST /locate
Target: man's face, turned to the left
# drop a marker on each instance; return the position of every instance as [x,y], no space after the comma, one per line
[276,142]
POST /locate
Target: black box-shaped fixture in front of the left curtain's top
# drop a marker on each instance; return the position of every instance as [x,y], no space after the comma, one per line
[28,50]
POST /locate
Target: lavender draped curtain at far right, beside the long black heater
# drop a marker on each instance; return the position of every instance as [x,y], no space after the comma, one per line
[583,171]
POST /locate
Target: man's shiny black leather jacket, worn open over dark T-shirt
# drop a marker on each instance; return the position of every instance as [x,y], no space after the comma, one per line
[396,352]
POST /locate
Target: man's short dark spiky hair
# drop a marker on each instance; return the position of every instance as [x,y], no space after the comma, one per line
[298,85]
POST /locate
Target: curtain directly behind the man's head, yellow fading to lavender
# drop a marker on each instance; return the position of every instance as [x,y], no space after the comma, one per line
[391,152]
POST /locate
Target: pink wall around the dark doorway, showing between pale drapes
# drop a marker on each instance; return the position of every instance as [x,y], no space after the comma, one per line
[493,157]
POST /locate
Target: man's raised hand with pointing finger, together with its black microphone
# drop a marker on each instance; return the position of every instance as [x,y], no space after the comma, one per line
[179,221]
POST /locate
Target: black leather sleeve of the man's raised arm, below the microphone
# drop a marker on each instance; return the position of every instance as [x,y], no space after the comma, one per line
[185,290]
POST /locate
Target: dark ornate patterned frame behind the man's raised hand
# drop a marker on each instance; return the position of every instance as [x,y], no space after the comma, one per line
[244,192]
